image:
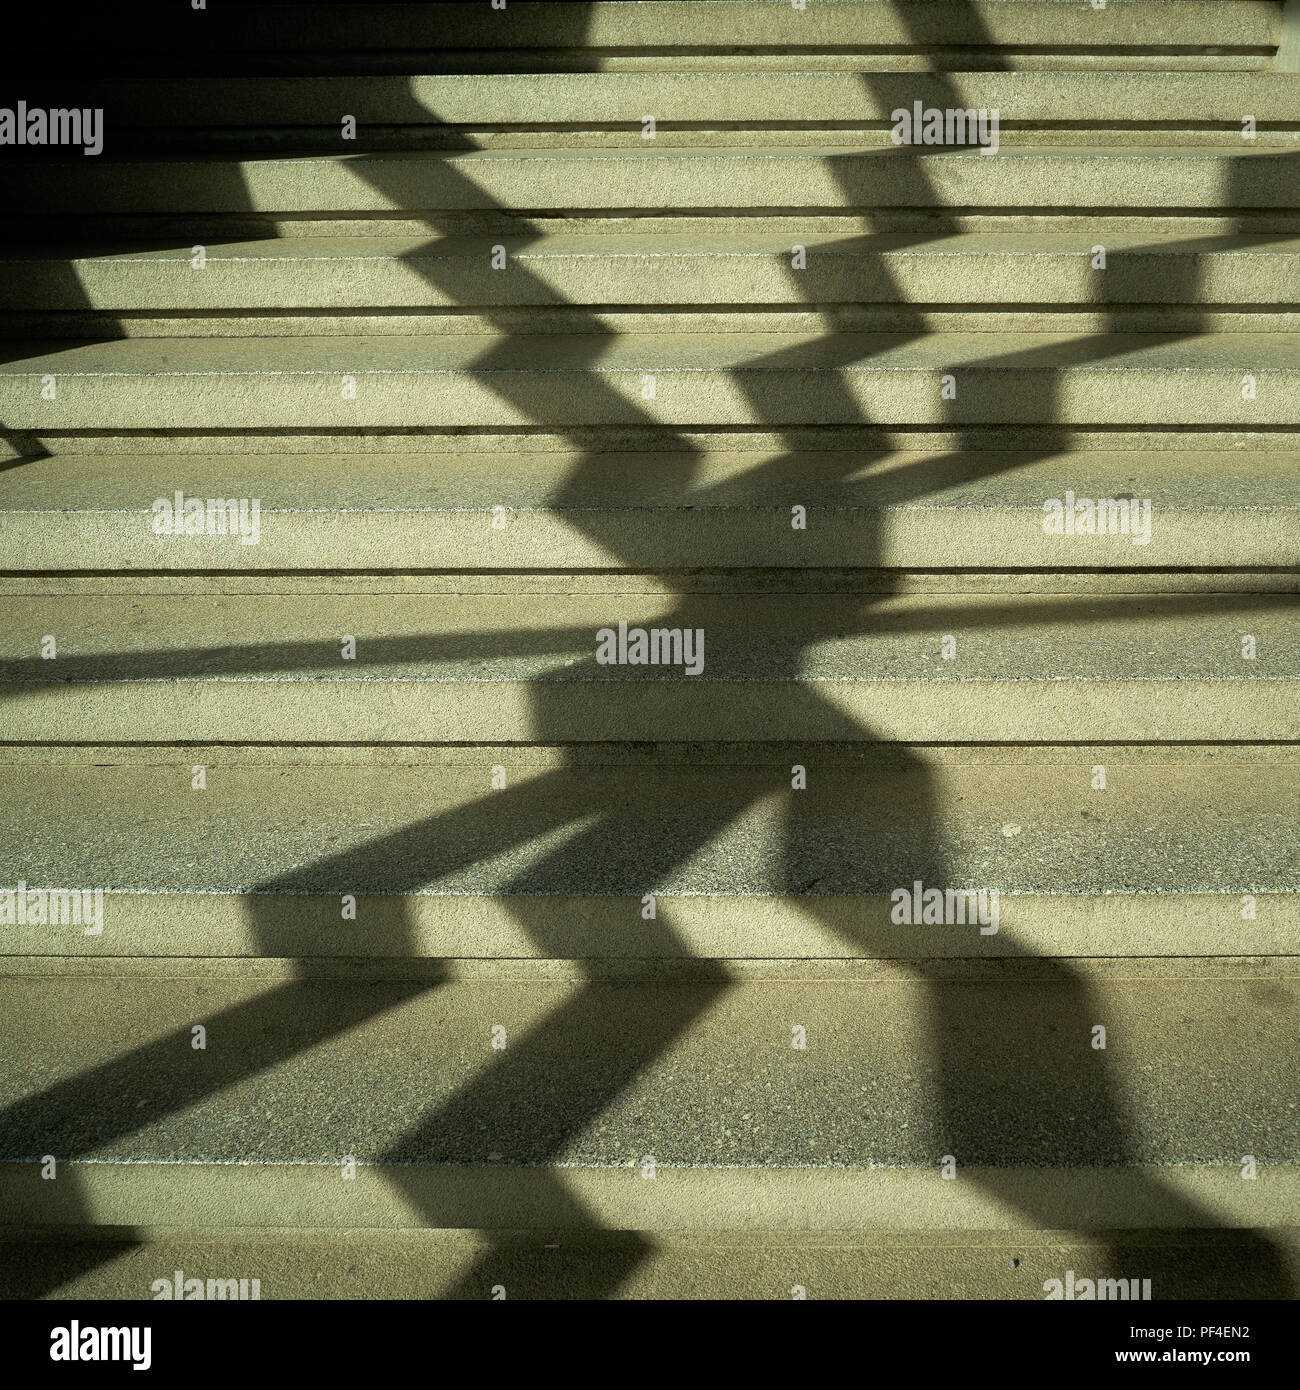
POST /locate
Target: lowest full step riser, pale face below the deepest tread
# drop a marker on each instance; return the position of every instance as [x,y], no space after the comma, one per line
[1020,1204]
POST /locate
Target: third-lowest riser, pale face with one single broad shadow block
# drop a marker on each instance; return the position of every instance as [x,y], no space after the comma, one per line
[504,711]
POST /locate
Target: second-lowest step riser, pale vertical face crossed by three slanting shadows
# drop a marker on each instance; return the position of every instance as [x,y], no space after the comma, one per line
[409,932]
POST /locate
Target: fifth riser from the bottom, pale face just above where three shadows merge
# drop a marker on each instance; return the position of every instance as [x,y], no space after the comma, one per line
[704,398]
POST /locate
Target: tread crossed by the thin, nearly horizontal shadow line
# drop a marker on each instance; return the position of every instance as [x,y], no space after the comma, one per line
[512,636]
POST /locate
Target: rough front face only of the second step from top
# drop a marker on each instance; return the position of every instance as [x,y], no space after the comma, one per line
[561,102]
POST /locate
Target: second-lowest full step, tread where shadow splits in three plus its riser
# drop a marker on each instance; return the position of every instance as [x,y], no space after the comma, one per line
[496,853]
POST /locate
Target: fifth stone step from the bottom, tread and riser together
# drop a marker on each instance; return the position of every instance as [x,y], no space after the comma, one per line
[465,380]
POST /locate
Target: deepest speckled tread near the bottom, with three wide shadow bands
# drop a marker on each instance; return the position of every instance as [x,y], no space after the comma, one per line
[1000,1072]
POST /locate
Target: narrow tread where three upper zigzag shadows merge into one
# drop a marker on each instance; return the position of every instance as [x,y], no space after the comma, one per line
[735,482]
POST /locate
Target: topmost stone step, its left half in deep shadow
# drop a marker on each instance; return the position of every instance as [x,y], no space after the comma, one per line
[473,37]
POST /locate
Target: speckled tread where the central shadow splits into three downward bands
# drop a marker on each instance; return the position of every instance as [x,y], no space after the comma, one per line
[1206,825]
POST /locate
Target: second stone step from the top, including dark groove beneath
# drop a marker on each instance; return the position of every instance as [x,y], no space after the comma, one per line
[689,108]
